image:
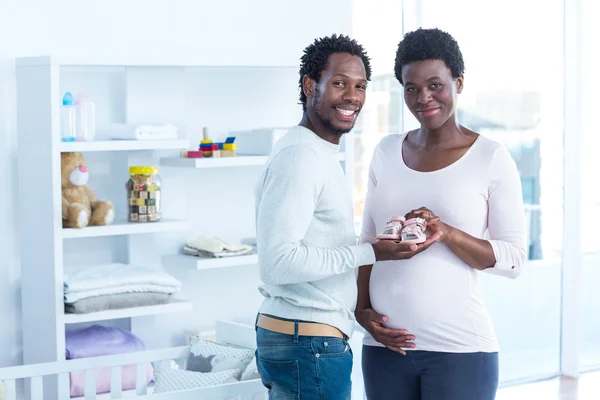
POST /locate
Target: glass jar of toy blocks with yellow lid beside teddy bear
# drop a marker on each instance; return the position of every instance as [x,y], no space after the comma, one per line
[143,194]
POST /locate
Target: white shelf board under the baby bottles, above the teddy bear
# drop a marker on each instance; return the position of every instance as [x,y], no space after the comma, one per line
[124,145]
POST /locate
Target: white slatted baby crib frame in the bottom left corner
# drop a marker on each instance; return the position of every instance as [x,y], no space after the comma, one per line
[38,383]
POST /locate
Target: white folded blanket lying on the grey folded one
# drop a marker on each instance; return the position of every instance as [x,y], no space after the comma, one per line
[115,278]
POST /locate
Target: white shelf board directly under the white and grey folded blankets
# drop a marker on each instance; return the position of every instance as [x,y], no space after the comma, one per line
[172,307]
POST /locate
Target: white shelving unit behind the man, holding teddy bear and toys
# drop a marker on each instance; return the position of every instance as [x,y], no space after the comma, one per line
[190,93]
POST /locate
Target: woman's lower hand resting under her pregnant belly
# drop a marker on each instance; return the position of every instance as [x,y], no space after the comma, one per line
[393,339]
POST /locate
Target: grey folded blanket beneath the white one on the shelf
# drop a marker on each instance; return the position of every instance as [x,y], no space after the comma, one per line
[116,301]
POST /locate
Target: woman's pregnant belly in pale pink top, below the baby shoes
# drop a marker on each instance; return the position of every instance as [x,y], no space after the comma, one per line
[441,306]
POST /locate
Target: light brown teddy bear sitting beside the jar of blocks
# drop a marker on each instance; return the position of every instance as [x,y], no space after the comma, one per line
[80,206]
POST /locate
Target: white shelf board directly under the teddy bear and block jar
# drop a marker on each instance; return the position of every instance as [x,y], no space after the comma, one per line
[127,228]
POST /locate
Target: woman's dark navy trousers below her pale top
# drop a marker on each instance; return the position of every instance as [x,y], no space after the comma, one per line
[429,375]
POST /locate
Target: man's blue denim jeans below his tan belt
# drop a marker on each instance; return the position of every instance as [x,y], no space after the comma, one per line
[307,367]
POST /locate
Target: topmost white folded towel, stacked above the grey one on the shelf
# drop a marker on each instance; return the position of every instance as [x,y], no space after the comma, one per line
[84,278]
